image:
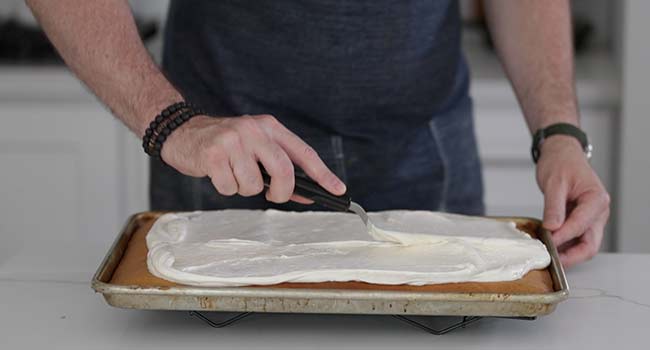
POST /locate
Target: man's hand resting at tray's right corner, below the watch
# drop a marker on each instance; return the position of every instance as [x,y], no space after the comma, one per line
[576,205]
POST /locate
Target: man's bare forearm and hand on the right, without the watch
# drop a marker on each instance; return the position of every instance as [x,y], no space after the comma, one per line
[533,40]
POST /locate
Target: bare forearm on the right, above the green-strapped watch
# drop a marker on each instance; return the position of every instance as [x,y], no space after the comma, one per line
[533,40]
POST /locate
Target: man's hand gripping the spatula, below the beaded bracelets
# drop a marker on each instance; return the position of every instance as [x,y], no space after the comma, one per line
[228,151]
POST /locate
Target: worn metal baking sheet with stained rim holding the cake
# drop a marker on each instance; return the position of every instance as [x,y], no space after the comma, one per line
[342,297]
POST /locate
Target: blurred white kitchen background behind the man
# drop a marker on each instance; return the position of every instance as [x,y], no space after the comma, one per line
[71,174]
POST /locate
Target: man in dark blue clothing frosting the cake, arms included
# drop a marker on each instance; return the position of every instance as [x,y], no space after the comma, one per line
[377,91]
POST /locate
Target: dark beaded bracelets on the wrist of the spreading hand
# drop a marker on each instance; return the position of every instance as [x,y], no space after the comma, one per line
[164,124]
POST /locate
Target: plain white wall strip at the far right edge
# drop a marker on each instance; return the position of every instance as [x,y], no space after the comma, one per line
[633,210]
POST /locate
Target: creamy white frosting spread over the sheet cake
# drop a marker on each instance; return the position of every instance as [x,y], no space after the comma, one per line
[245,247]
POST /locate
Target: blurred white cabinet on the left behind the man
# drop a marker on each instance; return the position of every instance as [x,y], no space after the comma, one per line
[64,184]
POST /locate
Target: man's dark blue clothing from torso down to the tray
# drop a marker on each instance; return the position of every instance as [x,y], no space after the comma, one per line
[379,89]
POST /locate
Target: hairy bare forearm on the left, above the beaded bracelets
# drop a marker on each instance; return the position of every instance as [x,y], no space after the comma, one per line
[99,41]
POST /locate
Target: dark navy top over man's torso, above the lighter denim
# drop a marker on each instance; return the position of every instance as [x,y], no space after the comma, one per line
[362,69]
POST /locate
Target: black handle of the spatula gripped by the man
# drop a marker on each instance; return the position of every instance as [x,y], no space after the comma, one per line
[308,188]
